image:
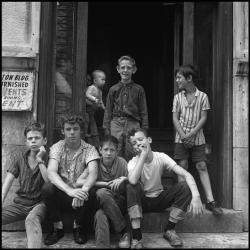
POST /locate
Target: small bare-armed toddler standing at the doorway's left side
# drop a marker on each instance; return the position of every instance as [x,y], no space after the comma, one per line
[93,102]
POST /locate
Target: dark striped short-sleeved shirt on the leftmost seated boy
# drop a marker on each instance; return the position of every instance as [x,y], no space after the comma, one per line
[30,180]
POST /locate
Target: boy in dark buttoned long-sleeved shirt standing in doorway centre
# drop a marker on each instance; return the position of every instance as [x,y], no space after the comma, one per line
[126,107]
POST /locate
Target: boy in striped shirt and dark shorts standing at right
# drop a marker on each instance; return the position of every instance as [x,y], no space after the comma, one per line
[190,107]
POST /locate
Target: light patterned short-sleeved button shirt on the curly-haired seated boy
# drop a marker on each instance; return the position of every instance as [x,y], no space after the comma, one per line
[71,169]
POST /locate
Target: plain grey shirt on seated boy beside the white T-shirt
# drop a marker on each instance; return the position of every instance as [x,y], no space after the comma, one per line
[118,169]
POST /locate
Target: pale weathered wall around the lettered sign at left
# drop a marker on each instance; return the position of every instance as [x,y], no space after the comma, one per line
[20,44]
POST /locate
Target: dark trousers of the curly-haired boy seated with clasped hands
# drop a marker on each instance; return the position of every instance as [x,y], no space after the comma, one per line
[57,202]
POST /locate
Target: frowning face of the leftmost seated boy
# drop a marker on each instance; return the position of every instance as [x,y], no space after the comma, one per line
[34,140]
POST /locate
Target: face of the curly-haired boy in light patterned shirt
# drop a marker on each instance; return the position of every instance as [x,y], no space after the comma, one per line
[72,133]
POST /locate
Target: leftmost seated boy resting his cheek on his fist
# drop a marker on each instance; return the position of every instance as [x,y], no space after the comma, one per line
[30,167]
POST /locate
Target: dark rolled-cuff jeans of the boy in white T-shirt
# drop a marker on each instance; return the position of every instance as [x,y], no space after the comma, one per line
[178,197]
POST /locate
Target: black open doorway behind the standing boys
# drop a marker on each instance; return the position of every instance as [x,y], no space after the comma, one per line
[146,32]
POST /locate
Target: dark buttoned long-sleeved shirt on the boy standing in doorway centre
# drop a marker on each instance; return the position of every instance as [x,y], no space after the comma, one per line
[128,100]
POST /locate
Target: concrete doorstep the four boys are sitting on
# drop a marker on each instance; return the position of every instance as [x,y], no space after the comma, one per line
[230,222]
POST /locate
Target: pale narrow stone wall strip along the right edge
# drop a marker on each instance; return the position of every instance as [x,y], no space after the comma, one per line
[240,109]
